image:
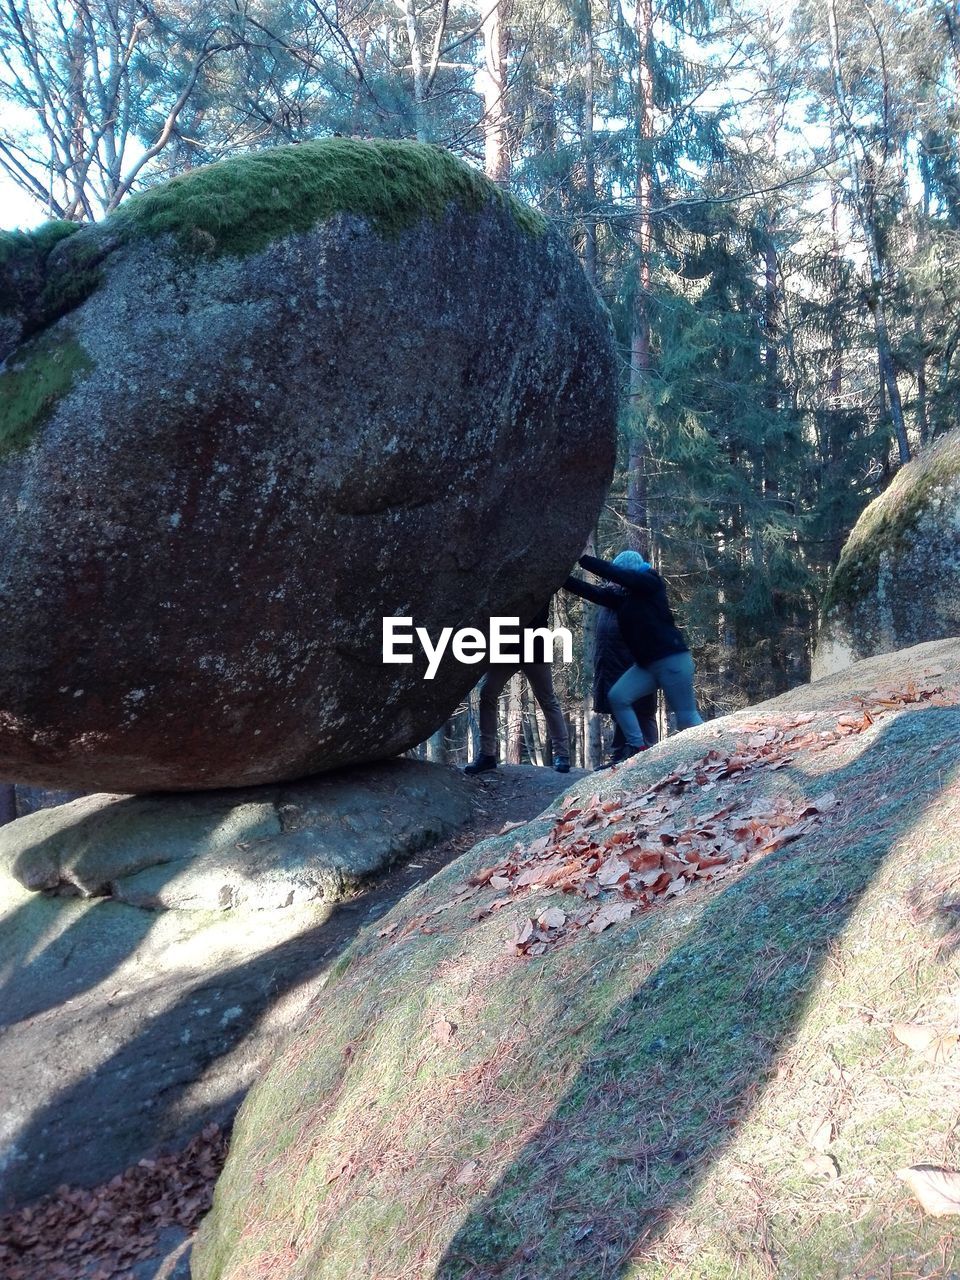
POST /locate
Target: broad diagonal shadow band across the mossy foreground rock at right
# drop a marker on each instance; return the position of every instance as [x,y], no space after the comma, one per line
[684,1059]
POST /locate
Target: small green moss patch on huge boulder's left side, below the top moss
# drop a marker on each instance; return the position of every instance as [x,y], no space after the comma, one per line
[43,374]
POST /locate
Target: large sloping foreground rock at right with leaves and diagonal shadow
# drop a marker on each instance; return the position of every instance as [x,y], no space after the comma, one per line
[620,1103]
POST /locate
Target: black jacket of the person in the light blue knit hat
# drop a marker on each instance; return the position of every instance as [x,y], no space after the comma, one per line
[642,609]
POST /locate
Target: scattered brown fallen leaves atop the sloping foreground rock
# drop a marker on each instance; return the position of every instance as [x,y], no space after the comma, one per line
[621,856]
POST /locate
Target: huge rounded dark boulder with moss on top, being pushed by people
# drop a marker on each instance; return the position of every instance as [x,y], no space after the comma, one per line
[255,412]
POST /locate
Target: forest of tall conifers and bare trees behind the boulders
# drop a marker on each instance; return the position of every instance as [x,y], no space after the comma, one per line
[767,198]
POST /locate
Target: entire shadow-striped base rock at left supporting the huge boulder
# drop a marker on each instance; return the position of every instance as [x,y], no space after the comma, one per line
[125,1028]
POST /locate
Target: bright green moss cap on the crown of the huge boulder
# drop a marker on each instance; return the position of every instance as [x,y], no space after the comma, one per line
[243,204]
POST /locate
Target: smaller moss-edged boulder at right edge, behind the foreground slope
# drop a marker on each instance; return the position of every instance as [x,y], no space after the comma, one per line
[898,580]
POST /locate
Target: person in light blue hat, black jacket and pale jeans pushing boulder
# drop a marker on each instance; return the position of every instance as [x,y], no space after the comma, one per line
[661,655]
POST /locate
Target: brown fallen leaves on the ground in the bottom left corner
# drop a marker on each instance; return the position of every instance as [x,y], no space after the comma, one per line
[117,1223]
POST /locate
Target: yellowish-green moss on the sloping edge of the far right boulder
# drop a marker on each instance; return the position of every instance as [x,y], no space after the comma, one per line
[889,525]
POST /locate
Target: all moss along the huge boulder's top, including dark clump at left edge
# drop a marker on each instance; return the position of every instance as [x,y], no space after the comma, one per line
[239,207]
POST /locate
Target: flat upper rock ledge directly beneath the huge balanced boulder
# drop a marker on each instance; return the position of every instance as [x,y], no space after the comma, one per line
[257,848]
